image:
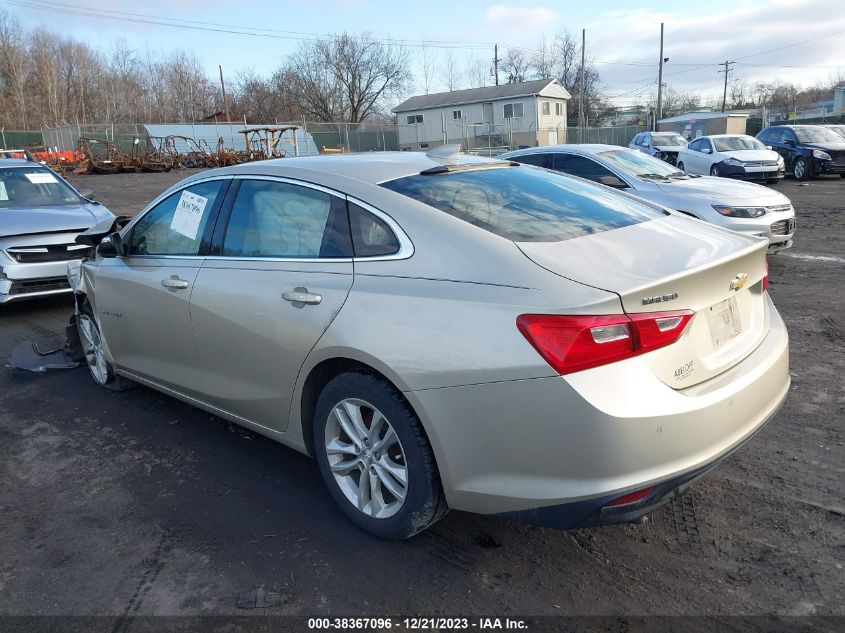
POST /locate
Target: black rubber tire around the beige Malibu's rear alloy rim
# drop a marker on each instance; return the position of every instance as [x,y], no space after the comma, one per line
[424,502]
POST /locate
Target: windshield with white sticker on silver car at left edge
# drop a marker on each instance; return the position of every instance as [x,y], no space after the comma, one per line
[22,187]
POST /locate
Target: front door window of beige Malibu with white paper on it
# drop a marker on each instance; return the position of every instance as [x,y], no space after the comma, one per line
[177,224]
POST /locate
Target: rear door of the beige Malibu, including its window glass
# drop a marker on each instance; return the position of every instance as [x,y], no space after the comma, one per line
[280,271]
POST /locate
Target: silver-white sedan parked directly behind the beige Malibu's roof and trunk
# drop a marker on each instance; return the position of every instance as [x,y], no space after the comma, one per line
[739,206]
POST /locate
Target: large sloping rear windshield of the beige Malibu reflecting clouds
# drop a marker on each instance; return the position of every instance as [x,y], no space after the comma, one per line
[524,204]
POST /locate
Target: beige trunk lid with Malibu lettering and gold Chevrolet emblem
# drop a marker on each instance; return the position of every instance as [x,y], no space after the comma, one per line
[675,263]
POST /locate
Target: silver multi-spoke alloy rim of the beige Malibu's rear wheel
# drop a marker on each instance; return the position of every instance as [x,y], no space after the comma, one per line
[366,458]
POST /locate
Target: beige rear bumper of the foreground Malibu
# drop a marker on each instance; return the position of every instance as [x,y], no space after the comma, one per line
[596,435]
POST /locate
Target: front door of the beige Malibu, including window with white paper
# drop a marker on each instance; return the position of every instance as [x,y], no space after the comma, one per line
[143,296]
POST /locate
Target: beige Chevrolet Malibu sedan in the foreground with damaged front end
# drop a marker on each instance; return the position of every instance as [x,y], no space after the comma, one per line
[445,332]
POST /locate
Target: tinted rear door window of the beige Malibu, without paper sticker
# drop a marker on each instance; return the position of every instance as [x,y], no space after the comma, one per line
[281,220]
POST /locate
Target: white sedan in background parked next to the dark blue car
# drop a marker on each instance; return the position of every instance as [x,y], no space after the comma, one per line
[731,156]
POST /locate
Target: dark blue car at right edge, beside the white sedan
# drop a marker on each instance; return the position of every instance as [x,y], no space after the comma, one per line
[808,150]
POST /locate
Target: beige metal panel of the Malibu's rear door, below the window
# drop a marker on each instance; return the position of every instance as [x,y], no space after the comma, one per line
[252,342]
